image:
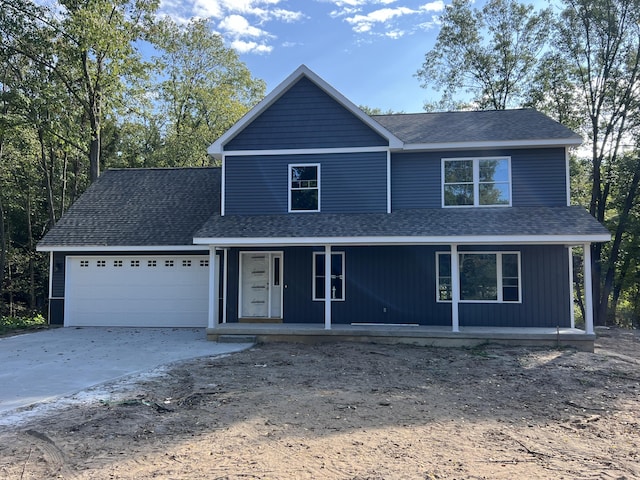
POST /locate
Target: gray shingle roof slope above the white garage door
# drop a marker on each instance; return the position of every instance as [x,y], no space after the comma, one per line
[140,207]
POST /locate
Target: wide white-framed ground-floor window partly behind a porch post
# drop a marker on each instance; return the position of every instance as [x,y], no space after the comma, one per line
[484,277]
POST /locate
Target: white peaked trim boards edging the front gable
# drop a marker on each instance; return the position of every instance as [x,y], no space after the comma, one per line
[217,148]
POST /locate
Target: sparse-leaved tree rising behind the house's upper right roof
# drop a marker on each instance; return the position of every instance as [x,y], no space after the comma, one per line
[490,53]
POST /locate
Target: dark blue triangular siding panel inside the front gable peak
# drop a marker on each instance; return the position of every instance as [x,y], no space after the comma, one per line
[305,117]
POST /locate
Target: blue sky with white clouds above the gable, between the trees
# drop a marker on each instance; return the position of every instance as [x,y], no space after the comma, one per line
[369,50]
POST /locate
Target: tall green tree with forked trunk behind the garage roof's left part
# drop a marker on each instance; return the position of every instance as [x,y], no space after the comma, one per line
[88,46]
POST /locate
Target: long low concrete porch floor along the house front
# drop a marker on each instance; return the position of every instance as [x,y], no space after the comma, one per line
[436,336]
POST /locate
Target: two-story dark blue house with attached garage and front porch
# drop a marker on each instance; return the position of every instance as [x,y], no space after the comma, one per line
[325,221]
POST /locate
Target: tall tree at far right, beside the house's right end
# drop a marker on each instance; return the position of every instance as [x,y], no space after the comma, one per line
[599,42]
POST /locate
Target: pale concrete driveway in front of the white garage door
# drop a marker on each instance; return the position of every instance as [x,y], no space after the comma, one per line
[47,364]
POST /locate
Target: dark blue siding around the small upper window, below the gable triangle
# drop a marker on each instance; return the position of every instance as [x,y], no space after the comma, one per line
[349,183]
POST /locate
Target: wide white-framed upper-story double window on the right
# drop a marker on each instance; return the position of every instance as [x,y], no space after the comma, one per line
[476,182]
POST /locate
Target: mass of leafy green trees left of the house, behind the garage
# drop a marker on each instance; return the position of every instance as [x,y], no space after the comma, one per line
[76,97]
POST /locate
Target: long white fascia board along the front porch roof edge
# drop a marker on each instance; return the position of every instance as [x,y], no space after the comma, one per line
[418,240]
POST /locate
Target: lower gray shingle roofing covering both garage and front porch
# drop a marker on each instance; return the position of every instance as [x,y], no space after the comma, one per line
[169,207]
